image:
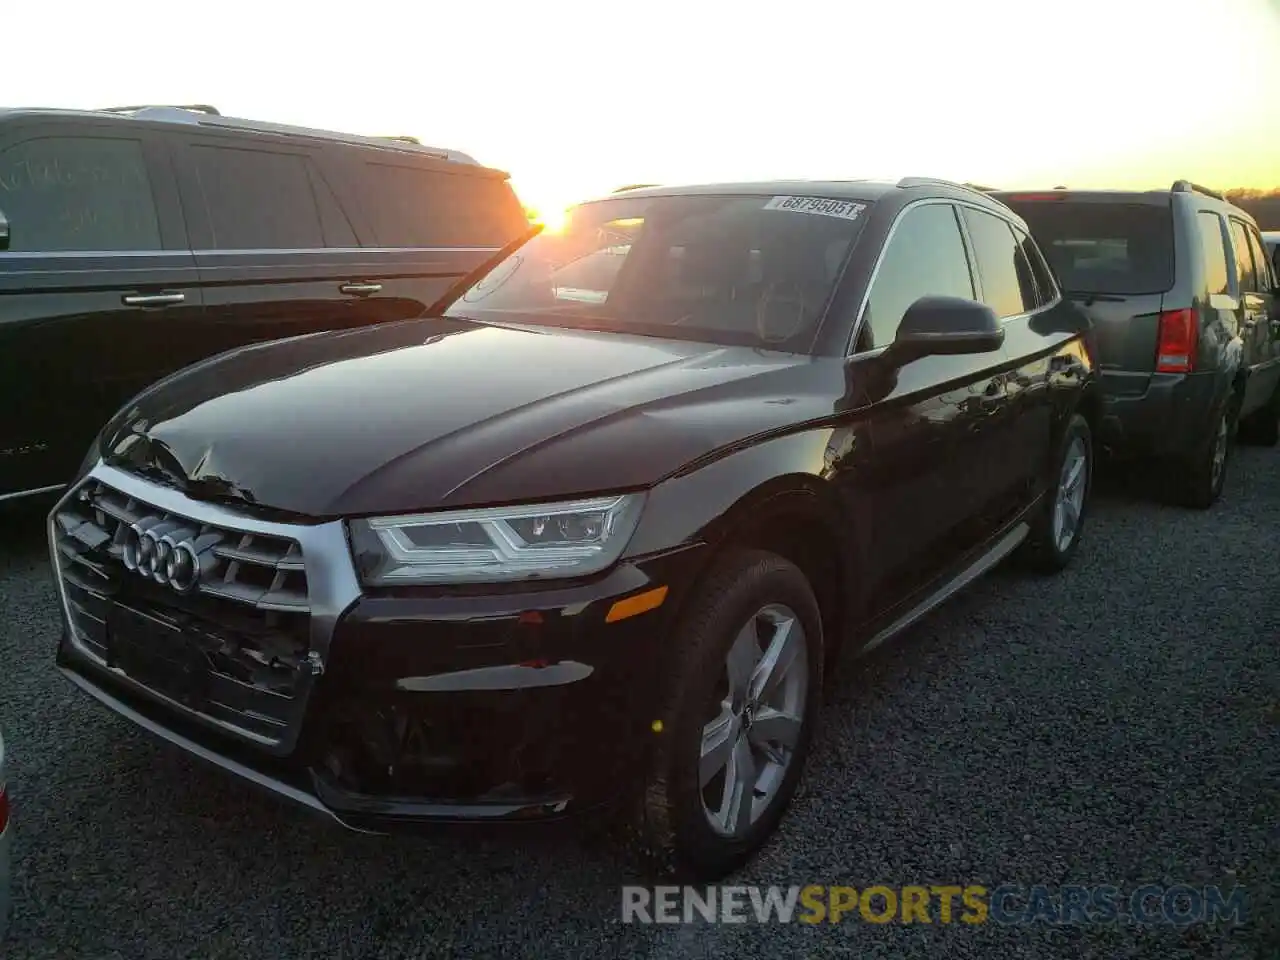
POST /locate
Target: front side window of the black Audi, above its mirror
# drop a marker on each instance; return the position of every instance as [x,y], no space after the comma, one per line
[926,258]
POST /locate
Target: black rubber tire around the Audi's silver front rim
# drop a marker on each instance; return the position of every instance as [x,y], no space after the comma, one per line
[678,828]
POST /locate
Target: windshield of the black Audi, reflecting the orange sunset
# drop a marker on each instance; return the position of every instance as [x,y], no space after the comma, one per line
[733,271]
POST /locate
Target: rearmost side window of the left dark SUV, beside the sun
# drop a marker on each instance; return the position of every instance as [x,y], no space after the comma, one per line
[418,208]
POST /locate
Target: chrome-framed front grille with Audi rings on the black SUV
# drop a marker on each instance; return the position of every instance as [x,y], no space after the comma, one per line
[239,648]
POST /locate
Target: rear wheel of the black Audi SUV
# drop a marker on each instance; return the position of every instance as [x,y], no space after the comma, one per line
[1057,532]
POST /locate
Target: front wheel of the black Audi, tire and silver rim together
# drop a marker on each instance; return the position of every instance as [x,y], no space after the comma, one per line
[744,697]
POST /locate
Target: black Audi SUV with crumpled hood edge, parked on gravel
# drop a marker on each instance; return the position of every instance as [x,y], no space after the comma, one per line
[600,531]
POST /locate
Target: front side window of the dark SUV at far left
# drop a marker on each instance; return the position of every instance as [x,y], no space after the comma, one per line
[79,194]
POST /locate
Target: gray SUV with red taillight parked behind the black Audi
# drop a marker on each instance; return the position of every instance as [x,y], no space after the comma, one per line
[1182,295]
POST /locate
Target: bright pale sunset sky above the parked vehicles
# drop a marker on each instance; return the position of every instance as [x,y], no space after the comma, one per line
[575,99]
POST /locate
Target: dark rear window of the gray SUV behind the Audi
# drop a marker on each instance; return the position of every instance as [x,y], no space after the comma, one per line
[1122,249]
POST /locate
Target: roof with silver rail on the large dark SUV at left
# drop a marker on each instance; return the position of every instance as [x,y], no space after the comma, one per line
[209,118]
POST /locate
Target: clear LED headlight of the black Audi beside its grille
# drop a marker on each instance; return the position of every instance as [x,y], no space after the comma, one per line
[546,541]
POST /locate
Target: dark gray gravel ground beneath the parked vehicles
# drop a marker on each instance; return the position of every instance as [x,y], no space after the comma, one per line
[1119,724]
